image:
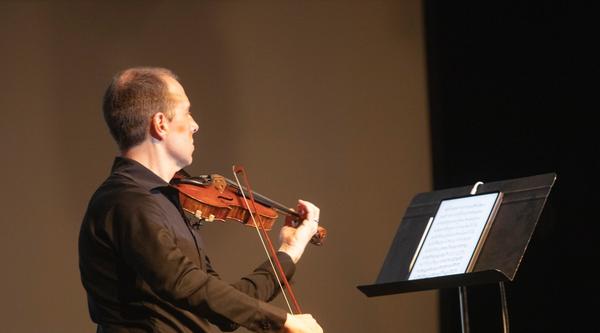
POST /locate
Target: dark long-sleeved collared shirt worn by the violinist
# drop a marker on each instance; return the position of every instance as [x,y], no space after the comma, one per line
[144,267]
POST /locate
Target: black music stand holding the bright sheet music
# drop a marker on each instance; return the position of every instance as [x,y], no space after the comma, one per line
[498,258]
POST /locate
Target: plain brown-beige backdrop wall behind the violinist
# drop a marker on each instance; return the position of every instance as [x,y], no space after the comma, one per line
[321,100]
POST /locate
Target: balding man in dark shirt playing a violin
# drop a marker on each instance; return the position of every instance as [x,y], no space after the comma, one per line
[141,262]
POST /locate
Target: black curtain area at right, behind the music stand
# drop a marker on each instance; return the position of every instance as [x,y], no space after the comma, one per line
[511,95]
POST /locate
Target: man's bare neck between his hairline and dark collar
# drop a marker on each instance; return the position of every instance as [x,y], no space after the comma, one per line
[152,158]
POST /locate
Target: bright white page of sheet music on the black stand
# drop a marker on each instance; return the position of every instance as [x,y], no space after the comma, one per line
[453,236]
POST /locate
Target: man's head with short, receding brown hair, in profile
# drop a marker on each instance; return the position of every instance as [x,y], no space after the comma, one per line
[149,103]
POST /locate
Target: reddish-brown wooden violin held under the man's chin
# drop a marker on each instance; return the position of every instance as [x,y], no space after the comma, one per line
[213,197]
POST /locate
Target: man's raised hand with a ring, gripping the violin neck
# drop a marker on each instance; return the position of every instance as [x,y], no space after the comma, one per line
[294,240]
